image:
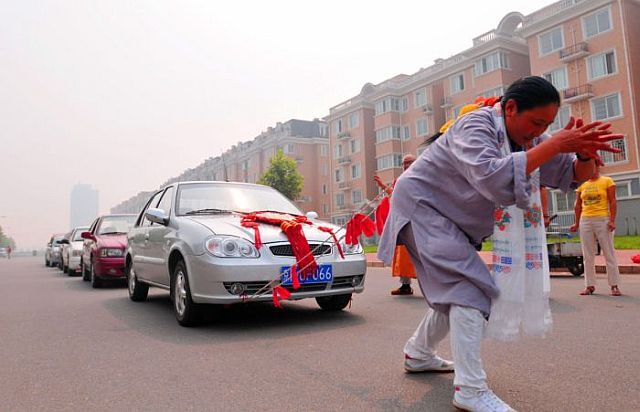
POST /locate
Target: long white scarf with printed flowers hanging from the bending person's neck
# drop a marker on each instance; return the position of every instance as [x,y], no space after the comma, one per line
[520,267]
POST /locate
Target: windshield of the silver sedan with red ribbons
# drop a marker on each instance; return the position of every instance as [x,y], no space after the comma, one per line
[220,198]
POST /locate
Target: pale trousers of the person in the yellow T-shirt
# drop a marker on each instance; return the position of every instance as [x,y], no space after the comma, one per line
[592,228]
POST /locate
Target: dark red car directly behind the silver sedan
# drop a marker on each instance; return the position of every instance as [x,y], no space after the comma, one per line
[103,249]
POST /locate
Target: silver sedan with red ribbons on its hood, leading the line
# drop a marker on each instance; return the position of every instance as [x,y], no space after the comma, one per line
[189,240]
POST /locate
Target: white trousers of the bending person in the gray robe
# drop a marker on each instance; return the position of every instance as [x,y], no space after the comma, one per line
[466,326]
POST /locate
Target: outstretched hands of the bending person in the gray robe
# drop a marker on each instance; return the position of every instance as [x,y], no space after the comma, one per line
[585,139]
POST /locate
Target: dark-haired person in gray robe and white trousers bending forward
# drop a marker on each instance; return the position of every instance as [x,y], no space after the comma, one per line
[443,206]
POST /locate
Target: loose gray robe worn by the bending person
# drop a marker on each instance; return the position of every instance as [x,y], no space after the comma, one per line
[448,197]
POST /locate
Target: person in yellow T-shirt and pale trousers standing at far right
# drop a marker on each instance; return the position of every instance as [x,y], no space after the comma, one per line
[595,210]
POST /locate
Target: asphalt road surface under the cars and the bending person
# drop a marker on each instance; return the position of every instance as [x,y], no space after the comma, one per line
[65,346]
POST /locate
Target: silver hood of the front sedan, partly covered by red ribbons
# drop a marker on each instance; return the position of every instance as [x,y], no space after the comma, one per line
[230,225]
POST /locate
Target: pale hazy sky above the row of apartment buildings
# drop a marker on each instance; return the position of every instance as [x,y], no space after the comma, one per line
[123,95]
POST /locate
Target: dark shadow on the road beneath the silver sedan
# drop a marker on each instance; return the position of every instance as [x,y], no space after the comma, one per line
[236,323]
